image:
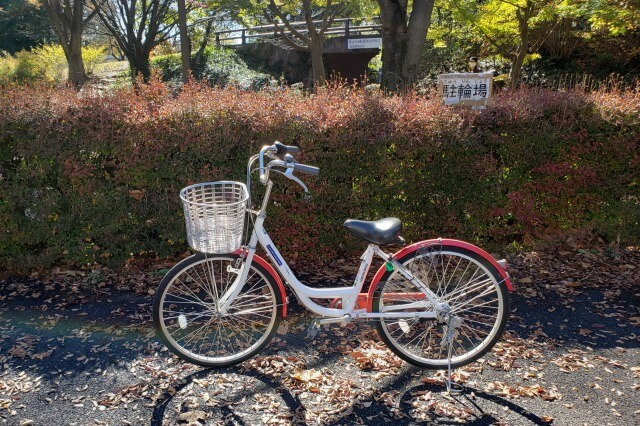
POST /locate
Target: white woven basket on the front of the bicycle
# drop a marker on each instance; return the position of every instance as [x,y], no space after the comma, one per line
[214,213]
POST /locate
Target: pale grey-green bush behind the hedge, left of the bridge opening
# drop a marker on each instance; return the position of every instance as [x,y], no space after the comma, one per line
[222,67]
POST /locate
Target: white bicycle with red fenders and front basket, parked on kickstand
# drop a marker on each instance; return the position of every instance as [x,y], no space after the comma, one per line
[438,304]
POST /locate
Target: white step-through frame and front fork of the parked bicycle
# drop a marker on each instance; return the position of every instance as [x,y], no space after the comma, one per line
[348,295]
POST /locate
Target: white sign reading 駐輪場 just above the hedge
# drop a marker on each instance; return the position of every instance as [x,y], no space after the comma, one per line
[465,88]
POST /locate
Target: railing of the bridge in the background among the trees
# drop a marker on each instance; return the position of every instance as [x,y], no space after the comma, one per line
[342,27]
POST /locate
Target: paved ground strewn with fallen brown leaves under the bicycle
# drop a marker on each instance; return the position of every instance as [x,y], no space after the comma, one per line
[77,348]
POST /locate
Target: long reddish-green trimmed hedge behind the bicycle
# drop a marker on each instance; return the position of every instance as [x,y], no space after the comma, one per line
[89,177]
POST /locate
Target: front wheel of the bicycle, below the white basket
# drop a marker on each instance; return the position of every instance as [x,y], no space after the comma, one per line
[186,318]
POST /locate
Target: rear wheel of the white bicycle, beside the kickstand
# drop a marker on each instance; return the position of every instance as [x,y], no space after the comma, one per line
[465,281]
